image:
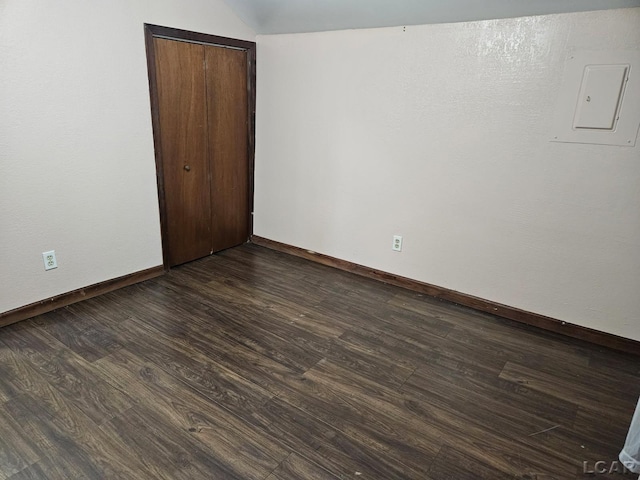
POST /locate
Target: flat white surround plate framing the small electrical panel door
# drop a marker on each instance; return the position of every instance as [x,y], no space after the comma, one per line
[625,132]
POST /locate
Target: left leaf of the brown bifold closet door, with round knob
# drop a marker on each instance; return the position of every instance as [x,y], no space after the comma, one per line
[183,137]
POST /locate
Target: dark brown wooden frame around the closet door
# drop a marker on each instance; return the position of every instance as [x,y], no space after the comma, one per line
[156,31]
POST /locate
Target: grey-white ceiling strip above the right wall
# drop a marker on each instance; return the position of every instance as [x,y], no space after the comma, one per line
[294,16]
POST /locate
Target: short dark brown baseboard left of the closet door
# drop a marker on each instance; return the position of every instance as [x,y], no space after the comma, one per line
[44,306]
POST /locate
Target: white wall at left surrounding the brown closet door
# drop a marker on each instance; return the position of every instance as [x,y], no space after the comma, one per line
[77,170]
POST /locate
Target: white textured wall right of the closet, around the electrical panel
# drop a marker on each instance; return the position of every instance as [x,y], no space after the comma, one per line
[441,133]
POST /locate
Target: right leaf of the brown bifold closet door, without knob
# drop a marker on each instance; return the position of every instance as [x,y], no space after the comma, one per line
[228,145]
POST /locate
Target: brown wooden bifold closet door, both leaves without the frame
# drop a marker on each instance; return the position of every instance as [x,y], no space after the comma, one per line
[203,123]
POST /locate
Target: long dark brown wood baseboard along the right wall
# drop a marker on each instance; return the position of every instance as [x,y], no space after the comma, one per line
[576,331]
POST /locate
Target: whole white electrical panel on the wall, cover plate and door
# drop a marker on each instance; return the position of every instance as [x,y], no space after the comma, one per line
[599,100]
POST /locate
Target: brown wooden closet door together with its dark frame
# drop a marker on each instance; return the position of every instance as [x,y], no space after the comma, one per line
[229,75]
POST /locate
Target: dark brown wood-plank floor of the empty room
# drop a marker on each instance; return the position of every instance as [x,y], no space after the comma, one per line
[252,364]
